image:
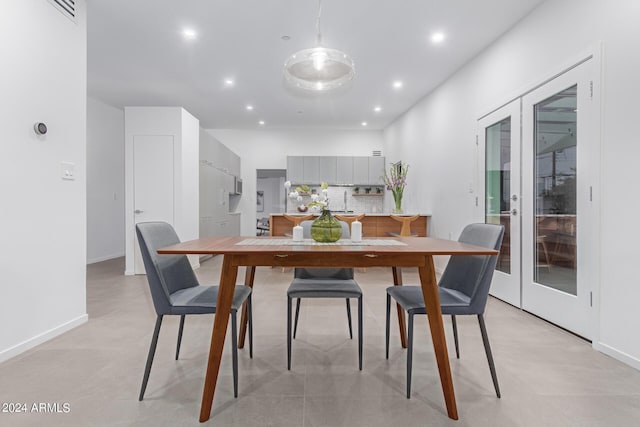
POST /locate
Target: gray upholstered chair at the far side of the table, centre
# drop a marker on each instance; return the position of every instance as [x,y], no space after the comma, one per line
[323,283]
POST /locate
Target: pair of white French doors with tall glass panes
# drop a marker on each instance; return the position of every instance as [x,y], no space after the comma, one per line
[540,160]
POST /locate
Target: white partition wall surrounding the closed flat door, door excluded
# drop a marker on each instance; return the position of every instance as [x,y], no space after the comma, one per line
[184,128]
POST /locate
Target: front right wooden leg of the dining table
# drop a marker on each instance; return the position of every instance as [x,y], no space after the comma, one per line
[432,300]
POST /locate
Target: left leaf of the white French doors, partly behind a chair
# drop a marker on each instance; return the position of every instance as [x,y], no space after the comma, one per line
[499,149]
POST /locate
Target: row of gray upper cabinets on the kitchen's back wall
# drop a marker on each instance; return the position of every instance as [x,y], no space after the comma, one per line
[335,170]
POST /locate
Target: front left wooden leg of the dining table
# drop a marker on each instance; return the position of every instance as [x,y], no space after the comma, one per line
[221,320]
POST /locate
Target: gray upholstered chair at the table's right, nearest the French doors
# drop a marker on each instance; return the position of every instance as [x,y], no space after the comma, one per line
[463,289]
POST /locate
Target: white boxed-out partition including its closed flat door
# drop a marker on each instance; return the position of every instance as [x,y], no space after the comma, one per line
[172,126]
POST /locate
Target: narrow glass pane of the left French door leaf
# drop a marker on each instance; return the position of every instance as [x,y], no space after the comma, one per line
[498,185]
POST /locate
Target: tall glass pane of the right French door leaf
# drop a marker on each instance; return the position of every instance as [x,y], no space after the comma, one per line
[555,231]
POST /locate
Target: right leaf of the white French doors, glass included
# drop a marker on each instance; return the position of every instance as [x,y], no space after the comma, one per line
[559,230]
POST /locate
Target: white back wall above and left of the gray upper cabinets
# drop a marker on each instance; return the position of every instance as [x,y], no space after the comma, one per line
[268,149]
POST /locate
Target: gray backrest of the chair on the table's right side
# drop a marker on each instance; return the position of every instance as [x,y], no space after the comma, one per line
[471,274]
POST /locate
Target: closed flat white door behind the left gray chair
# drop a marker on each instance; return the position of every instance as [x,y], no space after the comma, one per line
[153,179]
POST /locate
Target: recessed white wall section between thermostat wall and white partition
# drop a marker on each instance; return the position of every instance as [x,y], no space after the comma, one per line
[105,181]
